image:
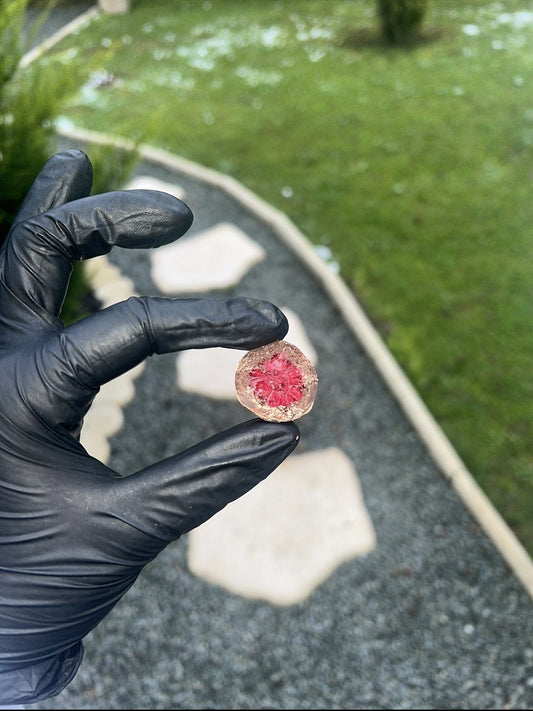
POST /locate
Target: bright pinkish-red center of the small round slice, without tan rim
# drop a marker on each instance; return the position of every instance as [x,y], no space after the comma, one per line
[277,382]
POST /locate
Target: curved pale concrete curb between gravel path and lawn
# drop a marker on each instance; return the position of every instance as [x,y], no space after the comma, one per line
[418,414]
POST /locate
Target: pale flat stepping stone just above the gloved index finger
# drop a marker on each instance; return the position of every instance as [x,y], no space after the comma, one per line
[217,258]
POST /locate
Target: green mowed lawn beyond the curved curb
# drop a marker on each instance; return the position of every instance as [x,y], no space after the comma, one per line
[413,166]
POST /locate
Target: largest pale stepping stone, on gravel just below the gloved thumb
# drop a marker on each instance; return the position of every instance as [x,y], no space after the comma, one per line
[287,535]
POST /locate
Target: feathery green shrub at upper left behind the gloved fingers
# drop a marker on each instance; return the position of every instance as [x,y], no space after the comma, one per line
[30,100]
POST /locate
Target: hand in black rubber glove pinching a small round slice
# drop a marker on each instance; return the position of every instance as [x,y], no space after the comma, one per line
[74,534]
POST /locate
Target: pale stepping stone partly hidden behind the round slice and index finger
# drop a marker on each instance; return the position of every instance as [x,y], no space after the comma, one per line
[211,371]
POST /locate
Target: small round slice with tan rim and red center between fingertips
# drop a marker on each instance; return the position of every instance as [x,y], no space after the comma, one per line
[276,382]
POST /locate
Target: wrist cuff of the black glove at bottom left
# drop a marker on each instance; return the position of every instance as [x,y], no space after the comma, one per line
[41,680]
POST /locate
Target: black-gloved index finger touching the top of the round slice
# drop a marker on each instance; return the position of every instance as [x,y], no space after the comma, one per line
[78,359]
